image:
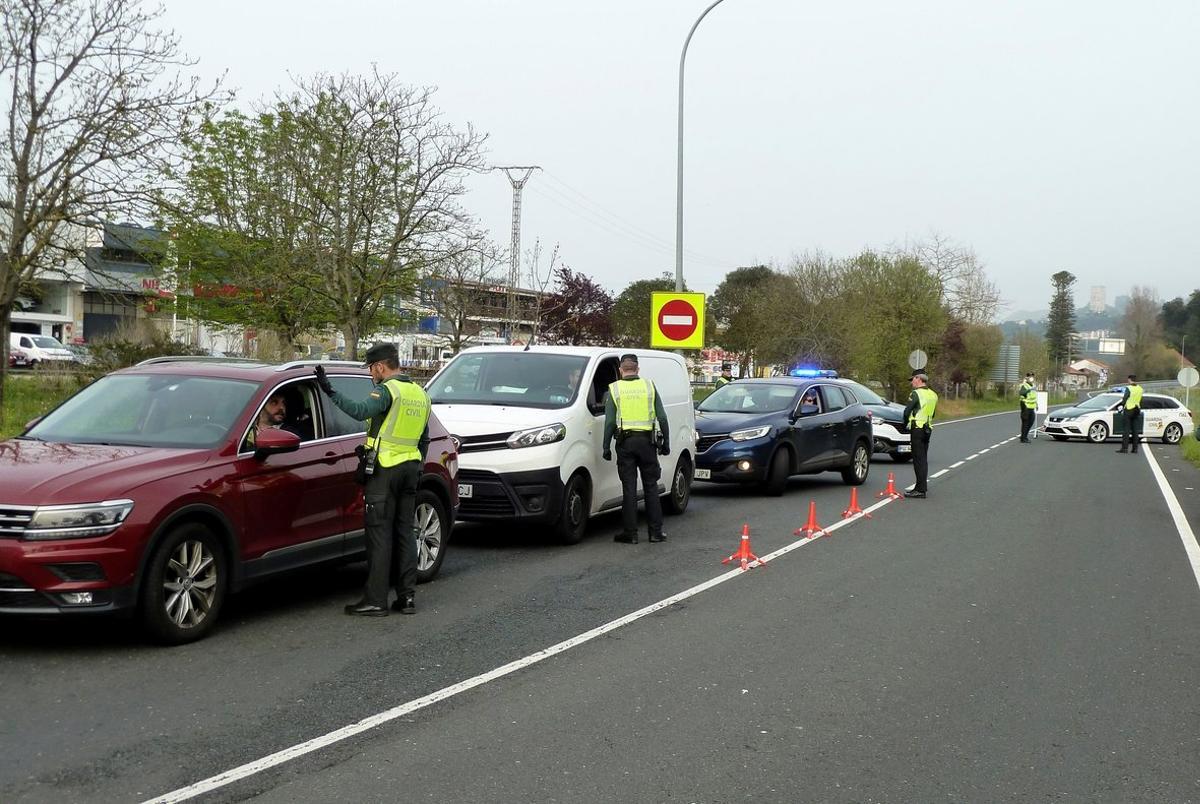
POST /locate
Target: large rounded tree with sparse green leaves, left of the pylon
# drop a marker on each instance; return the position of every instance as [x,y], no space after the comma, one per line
[358,195]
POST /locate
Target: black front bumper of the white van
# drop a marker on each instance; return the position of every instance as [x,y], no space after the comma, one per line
[535,496]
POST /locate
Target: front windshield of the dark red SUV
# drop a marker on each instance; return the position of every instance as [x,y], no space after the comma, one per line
[148,411]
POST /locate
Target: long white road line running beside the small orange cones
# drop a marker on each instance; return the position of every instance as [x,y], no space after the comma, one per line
[388,716]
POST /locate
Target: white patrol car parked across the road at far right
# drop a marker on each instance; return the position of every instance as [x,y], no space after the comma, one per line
[1099,419]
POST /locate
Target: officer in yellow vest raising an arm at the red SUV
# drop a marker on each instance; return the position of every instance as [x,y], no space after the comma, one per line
[398,412]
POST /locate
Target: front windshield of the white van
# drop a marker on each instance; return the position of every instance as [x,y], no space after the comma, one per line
[525,380]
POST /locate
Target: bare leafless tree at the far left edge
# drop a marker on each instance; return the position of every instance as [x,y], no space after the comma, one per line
[94,107]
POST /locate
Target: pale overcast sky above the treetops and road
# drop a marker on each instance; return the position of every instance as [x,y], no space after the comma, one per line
[1045,135]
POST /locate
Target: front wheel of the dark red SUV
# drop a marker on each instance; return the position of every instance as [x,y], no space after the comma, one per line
[185,586]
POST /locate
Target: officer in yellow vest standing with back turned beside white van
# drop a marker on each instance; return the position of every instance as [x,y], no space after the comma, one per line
[632,410]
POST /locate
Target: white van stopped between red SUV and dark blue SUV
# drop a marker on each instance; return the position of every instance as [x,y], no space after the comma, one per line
[530,425]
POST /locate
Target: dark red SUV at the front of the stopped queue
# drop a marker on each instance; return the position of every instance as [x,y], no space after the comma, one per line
[143,493]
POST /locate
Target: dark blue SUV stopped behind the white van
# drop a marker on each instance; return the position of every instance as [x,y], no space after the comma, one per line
[764,431]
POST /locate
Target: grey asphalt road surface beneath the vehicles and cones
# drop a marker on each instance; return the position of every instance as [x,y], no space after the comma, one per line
[1029,633]
